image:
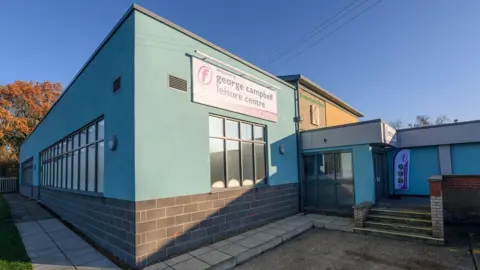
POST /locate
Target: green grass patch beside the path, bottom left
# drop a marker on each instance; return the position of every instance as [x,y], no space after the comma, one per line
[12,252]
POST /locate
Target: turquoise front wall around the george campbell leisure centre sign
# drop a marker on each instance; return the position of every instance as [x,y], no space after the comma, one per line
[171,132]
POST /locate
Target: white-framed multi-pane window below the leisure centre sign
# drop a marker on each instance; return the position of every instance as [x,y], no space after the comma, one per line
[237,153]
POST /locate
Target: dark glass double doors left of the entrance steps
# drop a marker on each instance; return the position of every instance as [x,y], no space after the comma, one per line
[329,180]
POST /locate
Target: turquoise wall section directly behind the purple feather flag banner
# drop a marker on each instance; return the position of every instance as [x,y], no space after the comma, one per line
[424,163]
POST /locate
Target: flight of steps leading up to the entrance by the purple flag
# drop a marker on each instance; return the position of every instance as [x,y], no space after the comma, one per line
[414,225]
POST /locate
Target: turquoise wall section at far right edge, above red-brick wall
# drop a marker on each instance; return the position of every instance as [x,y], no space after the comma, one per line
[465,158]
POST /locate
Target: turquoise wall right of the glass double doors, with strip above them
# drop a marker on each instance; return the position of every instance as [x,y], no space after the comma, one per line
[363,172]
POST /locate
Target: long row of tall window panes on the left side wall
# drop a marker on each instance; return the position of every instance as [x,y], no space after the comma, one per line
[77,161]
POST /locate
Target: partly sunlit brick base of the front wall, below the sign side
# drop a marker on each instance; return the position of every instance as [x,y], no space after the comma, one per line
[170,226]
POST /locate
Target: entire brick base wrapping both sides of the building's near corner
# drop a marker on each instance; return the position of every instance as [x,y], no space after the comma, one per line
[145,232]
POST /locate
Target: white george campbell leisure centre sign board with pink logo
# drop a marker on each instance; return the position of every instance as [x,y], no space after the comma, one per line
[222,89]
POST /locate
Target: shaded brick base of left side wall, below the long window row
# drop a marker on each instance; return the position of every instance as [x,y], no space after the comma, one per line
[108,222]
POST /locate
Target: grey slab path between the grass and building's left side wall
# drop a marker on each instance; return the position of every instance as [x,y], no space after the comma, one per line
[49,243]
